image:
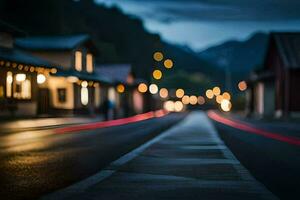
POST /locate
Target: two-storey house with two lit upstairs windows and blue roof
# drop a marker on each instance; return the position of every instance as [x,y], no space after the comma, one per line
[76,88]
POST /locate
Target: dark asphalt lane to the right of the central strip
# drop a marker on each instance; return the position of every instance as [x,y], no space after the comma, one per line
[274,163]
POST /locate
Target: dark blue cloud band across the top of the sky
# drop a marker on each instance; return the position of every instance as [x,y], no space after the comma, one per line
[211,10]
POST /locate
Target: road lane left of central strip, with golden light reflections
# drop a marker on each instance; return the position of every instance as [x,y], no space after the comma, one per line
[33,163]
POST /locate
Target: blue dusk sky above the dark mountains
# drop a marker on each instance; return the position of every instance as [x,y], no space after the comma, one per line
[203,23]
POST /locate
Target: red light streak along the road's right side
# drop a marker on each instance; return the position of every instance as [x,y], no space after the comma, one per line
[250,129]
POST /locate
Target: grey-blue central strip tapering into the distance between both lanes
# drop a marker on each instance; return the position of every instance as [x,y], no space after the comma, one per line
[188,161]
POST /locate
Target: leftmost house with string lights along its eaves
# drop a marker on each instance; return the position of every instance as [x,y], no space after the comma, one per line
[20,74]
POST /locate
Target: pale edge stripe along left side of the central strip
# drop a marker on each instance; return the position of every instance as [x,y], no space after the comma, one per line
[80,187]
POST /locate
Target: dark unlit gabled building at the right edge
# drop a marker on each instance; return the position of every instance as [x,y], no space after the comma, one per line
[274,89]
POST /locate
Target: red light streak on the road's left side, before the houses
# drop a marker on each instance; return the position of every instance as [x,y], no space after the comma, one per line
[111,123]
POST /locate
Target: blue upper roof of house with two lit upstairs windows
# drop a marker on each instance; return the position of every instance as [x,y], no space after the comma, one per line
[51,42]
